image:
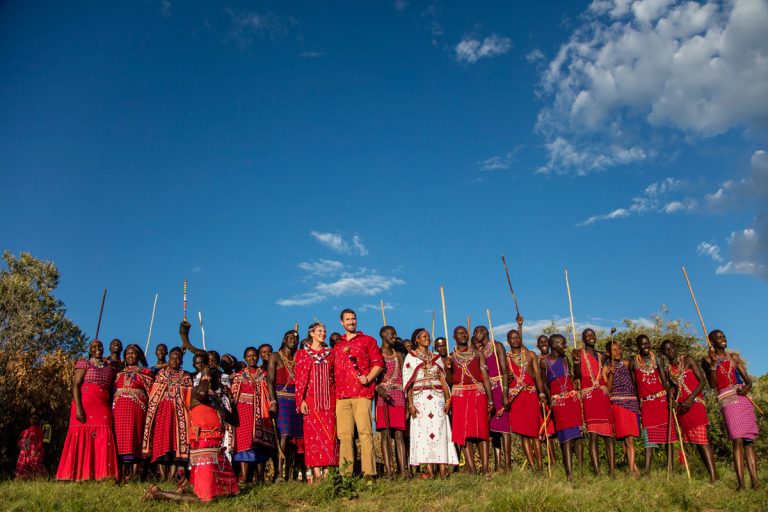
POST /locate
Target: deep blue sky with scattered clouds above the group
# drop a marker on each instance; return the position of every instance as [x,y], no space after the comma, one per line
[290,160]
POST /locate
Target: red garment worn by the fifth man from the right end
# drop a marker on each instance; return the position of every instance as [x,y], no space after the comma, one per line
[594,396]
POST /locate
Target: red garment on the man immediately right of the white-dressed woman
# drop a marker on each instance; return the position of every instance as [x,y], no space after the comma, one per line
[469,403]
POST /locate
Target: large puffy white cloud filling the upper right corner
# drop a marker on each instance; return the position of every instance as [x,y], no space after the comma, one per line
[634,67]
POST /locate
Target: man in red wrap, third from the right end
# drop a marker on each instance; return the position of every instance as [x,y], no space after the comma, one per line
[652,389]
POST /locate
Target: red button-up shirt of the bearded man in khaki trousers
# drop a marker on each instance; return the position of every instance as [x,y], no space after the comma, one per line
[350,360]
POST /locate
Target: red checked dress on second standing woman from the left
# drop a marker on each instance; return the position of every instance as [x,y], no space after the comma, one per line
[129,408]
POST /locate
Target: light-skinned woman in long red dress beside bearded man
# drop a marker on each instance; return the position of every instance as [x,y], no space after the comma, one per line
[316,399]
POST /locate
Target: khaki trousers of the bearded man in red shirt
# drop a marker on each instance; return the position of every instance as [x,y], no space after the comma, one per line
[351,412]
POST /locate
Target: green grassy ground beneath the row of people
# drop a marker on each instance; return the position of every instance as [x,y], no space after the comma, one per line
[515,491]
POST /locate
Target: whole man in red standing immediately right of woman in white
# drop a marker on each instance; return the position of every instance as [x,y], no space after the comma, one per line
[468,375]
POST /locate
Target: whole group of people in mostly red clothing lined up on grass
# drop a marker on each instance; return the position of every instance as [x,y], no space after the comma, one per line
[307,404]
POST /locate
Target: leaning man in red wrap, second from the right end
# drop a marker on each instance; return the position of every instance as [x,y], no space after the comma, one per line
[687,381]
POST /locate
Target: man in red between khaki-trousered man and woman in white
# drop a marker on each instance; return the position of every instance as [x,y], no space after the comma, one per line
[390,404]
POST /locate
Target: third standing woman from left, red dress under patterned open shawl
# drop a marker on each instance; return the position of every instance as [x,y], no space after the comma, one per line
[166,439]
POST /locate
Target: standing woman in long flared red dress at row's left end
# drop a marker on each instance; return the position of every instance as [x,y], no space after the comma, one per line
[89,450]
